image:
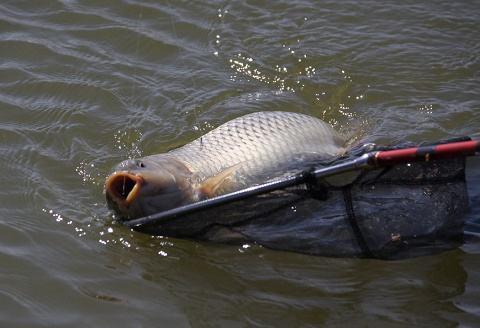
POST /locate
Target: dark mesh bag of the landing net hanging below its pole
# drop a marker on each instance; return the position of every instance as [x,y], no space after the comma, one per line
[408,208]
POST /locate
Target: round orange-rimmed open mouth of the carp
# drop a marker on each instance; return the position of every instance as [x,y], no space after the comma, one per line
[124,187]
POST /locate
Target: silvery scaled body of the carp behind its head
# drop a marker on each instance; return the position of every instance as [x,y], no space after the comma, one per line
[259,141]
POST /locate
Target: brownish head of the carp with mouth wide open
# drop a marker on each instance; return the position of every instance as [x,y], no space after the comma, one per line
[147,186]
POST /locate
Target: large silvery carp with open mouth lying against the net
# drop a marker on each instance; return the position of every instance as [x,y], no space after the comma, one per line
[245,151]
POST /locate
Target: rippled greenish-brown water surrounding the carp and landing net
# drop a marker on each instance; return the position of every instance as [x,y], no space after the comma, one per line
[86,84]
